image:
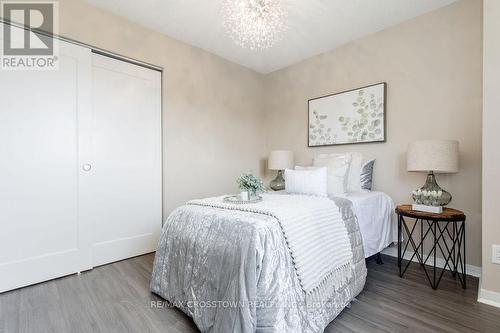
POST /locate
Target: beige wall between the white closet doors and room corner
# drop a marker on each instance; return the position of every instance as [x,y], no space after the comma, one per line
[212,108]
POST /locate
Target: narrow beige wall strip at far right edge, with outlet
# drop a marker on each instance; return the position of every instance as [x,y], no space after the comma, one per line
[491,138]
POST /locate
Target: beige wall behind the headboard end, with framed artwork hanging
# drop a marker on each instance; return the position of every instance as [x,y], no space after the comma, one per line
[433,68]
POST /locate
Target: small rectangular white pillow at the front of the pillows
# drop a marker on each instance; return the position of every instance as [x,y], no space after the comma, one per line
[308,181]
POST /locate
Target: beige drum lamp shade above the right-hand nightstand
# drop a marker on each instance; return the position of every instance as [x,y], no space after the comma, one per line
[440,156]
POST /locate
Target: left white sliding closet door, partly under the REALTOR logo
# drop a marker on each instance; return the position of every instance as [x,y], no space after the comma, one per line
[41,234]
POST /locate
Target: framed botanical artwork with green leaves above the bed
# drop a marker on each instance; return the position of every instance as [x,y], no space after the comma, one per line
[353,116]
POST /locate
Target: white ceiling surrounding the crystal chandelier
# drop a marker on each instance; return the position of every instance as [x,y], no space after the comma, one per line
[314,26]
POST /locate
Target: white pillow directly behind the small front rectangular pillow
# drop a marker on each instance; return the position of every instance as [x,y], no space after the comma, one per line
[338,167]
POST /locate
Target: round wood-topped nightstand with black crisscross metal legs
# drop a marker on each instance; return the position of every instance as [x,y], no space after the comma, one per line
[447,232]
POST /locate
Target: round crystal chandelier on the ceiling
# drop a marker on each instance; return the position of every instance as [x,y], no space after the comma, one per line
[254,24]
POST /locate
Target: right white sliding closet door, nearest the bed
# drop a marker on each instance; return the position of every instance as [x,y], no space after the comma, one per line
[122,192]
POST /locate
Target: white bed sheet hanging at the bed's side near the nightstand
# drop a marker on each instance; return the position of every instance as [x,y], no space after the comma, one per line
[376,219]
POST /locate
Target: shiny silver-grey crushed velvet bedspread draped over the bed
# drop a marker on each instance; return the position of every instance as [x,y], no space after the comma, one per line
[232,271]
